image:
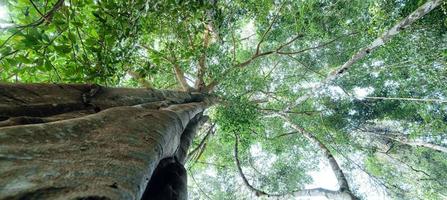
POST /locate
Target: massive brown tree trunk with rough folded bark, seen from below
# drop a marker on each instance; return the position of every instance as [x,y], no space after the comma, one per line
[85,141]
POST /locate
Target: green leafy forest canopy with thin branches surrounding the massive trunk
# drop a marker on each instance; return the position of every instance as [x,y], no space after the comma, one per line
[335,96]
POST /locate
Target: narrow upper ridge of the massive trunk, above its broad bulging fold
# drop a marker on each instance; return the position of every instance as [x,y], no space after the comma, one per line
[39,100]
